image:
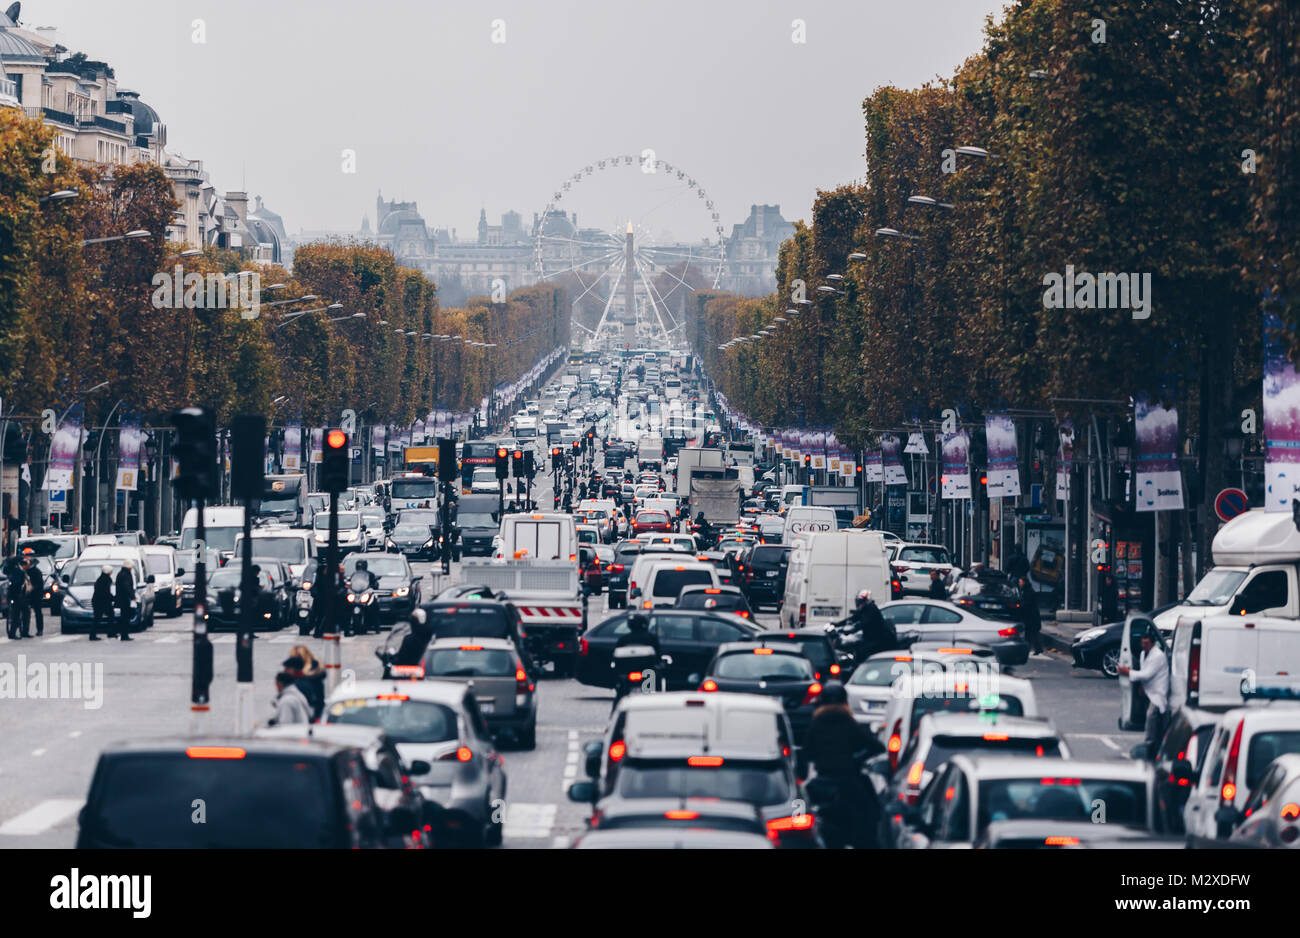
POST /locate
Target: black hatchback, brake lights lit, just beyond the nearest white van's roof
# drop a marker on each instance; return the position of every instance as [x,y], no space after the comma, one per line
[775,668]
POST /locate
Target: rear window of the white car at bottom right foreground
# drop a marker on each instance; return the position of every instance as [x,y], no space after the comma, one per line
[1061,800]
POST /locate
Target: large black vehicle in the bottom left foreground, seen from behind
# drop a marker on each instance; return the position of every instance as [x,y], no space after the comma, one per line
[257,794]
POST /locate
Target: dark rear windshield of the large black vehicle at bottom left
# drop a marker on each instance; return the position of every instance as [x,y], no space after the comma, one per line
[259,802]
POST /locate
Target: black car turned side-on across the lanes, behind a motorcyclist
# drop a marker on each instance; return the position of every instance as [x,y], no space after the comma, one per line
[690,637]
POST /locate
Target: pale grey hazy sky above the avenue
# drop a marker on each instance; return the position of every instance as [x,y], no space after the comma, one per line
[440,114]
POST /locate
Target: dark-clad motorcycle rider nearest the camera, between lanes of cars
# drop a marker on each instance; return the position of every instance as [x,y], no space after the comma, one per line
[838,745]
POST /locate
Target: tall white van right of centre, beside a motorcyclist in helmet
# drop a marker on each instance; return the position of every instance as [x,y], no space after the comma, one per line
[826,574]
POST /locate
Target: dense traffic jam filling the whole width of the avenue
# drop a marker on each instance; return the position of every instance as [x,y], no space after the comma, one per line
[649,633]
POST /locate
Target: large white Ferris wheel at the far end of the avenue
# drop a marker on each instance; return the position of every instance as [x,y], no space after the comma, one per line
[625,275]
